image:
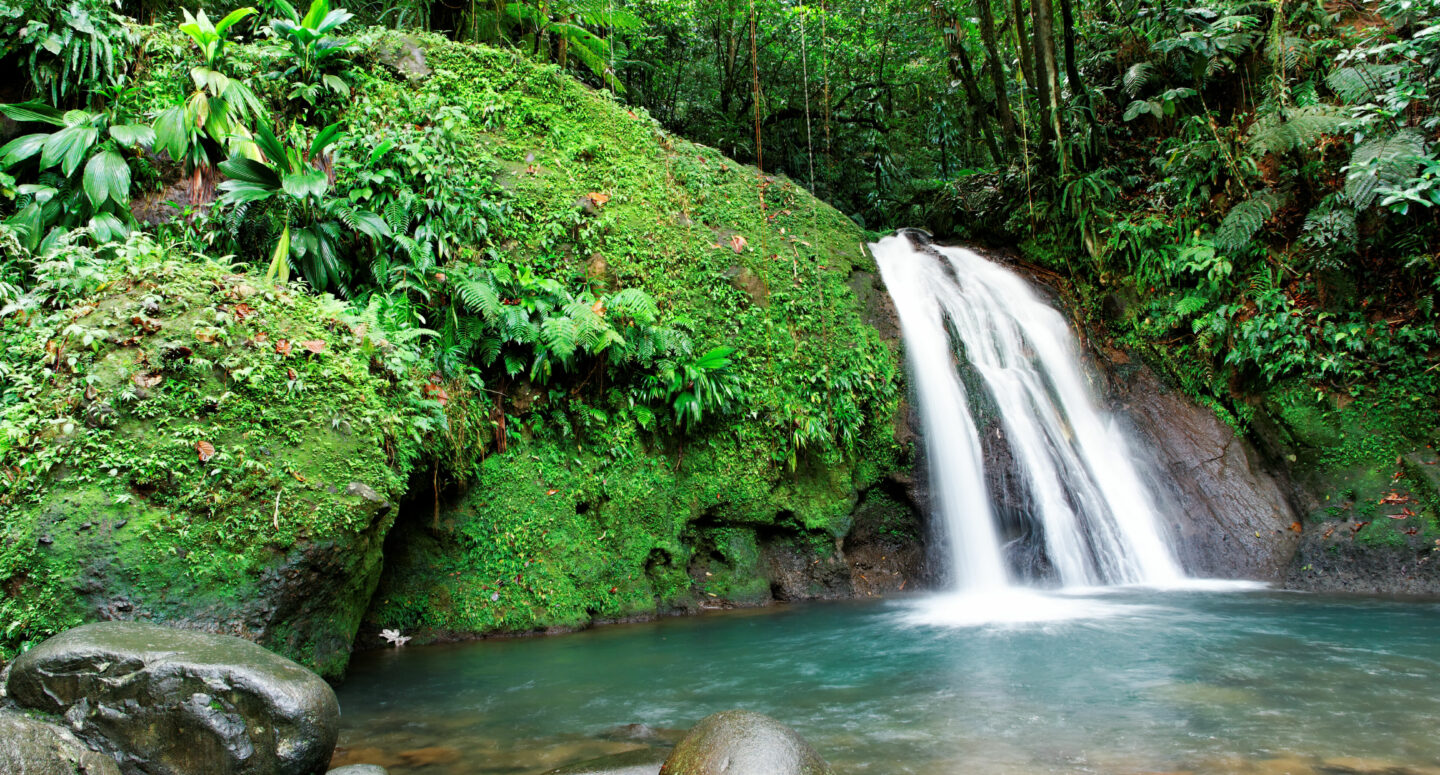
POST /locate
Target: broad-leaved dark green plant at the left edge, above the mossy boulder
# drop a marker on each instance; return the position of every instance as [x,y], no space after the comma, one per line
[78,174]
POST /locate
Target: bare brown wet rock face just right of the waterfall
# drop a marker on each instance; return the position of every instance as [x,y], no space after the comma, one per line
[1230,518]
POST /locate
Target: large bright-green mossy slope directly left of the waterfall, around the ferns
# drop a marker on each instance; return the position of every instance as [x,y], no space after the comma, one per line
[598,518]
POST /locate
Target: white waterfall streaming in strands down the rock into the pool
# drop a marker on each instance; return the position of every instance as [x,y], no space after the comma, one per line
[978,336]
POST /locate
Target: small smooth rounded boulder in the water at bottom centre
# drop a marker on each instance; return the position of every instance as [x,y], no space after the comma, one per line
[742,743]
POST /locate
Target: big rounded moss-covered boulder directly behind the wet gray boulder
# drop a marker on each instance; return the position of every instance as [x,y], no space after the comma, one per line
[197,447]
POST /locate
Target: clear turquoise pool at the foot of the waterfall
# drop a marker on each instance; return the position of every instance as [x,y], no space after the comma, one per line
[1111,682]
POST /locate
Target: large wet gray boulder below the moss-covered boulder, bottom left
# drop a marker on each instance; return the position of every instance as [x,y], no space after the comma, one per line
[175,702]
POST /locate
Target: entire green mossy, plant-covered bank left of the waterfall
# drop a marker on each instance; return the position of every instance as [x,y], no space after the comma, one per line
[541,290]
